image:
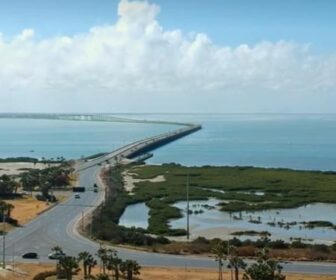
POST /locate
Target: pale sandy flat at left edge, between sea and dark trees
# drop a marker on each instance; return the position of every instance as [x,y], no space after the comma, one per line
[14,168]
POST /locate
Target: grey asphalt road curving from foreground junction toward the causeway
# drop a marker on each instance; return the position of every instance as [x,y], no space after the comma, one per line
[58,227]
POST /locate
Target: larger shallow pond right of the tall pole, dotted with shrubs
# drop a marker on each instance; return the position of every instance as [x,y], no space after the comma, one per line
[214,219]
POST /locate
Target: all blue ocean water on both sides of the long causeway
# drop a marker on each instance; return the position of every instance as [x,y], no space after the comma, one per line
[291,141]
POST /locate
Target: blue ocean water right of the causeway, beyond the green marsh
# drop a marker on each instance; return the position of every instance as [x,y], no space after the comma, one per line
[288,141]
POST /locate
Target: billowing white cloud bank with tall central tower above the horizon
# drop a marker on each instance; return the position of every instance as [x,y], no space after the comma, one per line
[136,65]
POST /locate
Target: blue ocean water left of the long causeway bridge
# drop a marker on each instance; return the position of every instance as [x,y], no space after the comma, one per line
[70,139]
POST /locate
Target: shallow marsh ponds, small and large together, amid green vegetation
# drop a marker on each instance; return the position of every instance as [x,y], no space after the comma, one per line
[208,221]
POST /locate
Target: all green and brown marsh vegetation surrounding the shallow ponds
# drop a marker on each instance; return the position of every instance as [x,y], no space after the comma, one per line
[261,188]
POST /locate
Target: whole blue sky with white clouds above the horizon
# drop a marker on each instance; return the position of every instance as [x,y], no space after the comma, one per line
[219,56]
